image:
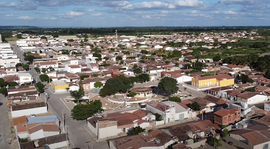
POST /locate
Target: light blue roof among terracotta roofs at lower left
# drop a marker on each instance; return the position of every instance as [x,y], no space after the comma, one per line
[42,119]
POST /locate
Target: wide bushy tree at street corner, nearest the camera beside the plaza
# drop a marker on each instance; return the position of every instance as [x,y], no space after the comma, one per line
[83,111]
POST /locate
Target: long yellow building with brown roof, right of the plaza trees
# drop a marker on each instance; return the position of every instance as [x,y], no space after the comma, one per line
[211,81]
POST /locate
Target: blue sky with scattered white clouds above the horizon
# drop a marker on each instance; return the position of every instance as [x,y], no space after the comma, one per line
[122,13]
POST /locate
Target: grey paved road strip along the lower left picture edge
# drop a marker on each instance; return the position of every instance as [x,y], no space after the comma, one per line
[4,124]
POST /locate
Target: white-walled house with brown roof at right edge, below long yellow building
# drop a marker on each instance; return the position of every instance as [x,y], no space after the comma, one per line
[249,98]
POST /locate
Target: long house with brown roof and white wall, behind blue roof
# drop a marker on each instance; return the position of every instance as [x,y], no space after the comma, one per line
[28,109]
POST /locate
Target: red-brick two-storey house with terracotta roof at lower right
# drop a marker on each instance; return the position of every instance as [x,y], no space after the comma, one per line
[226,117]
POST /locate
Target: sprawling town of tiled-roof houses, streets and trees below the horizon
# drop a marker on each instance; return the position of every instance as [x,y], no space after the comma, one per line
[176,91]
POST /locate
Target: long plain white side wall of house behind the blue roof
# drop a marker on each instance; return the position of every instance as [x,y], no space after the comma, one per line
[38,110]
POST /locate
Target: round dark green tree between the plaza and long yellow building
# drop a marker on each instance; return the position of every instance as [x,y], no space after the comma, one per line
[168,85]
